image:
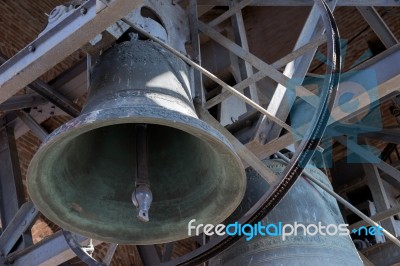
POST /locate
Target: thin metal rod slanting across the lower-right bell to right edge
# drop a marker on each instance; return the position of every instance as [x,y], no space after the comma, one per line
[344,202]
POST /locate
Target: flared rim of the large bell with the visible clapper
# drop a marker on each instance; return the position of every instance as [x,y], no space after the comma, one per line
[124,115]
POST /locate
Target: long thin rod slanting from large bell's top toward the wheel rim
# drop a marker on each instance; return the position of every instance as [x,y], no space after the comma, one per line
[211,76]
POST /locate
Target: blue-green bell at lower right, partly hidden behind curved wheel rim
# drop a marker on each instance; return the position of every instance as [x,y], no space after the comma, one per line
[303,204]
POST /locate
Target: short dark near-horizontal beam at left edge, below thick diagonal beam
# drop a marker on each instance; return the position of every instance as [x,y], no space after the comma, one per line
[22,101]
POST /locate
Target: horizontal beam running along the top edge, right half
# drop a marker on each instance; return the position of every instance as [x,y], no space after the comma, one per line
[302,3]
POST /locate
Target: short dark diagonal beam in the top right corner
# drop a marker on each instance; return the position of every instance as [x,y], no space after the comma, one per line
[378,25]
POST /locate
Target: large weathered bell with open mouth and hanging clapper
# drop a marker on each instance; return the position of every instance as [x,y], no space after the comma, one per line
[138,139]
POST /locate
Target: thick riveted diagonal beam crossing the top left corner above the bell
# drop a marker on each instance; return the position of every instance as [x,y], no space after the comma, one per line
[52,46]
